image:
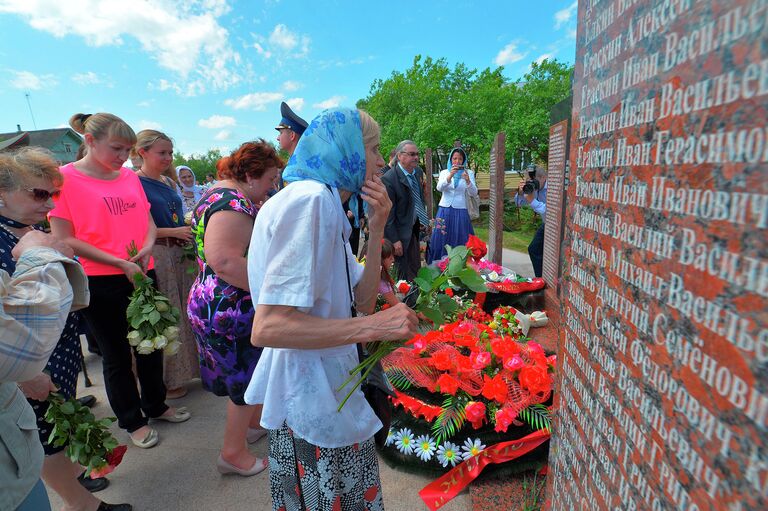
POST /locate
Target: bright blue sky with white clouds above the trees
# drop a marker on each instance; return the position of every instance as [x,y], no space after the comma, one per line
[212,73]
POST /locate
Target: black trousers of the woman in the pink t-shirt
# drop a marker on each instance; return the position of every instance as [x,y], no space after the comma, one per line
[106,319]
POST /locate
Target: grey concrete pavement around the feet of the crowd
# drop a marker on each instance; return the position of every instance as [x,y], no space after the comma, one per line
[179,474]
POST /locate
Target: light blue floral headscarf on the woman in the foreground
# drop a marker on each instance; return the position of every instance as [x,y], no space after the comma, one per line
[331,151]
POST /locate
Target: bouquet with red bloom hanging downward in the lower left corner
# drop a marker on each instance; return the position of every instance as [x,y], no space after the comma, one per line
[88,440]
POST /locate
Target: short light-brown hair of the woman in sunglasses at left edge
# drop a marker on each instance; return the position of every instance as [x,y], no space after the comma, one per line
[29,162]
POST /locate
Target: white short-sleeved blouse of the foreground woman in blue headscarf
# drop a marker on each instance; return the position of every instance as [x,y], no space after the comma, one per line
[297,258]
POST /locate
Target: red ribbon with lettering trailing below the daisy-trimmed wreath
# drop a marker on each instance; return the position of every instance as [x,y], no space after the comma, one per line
[440,491]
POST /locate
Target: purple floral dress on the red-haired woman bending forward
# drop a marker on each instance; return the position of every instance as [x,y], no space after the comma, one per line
[221,314]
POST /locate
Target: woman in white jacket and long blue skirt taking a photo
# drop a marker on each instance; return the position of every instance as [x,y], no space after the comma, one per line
[452,223]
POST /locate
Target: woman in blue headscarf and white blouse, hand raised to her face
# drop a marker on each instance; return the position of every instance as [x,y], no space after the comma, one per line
[305,283]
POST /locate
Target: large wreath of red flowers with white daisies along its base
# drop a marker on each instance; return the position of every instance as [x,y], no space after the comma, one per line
[466,386]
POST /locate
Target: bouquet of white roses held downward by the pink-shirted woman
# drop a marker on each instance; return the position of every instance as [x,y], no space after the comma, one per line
[151,317]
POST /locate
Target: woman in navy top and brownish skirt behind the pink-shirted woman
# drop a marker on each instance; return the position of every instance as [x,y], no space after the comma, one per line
[173,278]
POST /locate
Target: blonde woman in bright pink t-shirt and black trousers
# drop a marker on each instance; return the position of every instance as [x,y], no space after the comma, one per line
[102,209]
